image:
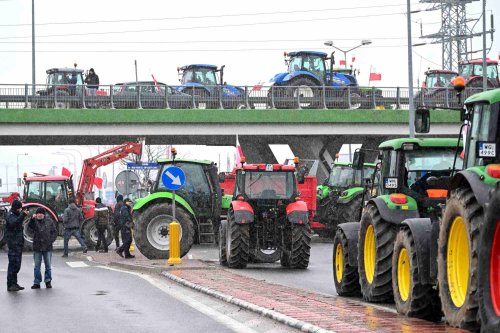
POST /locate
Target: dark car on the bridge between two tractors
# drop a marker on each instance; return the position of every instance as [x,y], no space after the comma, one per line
[153,95]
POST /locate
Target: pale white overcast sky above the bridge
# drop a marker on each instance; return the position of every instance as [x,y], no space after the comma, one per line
[250,40]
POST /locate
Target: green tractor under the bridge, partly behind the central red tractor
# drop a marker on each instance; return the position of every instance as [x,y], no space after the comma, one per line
[339,198]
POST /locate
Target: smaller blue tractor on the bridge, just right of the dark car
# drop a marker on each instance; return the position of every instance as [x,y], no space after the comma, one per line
[206,84]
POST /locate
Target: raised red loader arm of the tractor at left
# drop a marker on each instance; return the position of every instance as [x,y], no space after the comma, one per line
[90,166]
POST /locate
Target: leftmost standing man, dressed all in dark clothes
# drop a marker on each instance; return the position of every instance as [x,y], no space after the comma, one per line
[15,241]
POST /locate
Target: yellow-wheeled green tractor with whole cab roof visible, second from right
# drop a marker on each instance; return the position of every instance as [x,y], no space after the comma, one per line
[409,182]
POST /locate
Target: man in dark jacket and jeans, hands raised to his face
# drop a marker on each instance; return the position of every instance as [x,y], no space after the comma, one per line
[44,234]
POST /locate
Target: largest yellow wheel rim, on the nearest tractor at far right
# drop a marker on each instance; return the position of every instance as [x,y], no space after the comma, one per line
[458,261]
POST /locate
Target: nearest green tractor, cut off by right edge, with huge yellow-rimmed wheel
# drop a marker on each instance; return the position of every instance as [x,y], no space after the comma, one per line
[460,255]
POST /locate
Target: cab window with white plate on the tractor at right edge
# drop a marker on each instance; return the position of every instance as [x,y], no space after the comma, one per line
[483,132]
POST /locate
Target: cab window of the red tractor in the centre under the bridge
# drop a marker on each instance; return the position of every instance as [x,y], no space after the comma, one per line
[265,184]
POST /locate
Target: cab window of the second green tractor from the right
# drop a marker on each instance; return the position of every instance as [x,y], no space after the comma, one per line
[438,161]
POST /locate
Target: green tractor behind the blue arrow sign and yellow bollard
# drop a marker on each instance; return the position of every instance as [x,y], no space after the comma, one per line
[197,209]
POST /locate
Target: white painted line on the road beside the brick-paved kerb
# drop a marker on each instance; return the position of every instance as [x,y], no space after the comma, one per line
[221,318]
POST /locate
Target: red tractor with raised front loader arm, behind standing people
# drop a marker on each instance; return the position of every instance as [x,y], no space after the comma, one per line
[53,193]
